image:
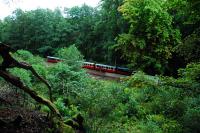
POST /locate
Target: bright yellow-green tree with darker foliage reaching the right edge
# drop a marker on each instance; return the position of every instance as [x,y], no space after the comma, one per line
[159,30]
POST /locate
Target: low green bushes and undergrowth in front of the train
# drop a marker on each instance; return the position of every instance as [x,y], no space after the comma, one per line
[139,103]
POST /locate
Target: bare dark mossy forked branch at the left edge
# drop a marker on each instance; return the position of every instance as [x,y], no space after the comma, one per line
[10,62]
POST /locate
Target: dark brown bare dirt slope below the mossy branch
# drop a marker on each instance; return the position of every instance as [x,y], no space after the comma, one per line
[16,118]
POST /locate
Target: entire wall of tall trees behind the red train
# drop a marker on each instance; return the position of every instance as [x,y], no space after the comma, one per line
[149,35]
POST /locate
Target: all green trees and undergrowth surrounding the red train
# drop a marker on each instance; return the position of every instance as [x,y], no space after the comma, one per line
[153,37]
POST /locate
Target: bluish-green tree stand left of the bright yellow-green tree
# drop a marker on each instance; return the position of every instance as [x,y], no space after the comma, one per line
[43,31]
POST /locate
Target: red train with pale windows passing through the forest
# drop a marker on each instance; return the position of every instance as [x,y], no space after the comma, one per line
[97,67]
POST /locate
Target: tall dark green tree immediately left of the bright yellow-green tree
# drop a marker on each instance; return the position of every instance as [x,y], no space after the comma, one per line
[110,24]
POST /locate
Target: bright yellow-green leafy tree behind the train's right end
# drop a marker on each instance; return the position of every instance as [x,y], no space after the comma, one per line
[151,37]
